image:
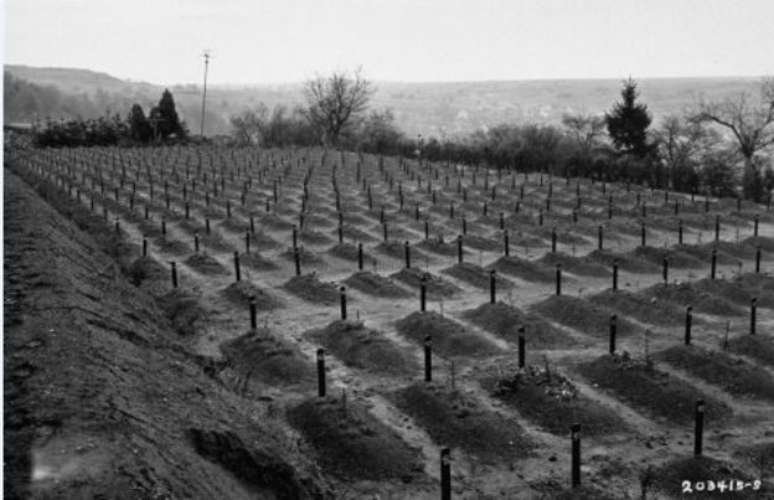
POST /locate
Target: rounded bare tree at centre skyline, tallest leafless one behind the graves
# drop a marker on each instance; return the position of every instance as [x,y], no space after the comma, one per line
[333,102]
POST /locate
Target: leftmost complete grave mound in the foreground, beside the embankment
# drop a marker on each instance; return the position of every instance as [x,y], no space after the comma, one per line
[350,443]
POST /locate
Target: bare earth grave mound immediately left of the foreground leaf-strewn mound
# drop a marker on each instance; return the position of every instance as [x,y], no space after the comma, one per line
[454,419]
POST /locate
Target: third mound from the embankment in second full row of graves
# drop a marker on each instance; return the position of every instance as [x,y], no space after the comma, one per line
[449,337]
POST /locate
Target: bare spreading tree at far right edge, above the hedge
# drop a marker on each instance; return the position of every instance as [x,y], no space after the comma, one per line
[752,124]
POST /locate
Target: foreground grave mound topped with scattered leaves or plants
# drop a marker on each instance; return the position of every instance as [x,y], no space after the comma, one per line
[552,401]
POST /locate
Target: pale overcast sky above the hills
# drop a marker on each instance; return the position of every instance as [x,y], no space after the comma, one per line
[161,41]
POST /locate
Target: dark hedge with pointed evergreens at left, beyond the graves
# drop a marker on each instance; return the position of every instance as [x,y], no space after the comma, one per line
[161,125]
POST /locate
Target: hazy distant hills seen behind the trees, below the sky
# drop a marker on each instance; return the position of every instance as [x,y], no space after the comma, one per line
[432,109]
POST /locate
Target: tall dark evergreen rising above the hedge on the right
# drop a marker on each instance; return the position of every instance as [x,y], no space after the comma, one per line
[628,122]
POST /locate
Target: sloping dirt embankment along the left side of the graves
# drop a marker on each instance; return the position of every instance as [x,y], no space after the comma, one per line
[101,398]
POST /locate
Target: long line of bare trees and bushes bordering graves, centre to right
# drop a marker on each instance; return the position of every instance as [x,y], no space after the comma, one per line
[721,148]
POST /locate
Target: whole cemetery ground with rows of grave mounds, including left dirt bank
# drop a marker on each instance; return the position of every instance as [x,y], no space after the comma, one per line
[390,325]
